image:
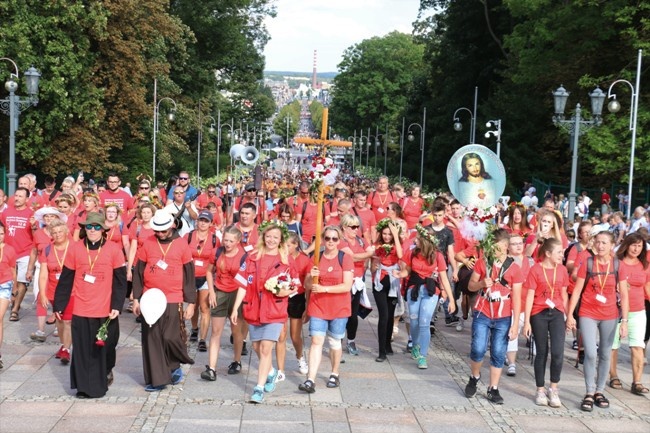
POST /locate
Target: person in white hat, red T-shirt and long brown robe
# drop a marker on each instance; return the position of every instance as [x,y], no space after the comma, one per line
[165,262]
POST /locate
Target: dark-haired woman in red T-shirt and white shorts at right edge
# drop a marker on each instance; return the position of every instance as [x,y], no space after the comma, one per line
[634,272]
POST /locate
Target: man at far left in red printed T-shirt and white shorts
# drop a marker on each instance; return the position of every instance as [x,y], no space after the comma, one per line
[18,220]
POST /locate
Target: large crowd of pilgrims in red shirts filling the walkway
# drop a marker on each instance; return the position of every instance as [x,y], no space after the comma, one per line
[245,256]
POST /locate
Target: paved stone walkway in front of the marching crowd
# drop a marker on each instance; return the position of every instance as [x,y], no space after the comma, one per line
[378,397]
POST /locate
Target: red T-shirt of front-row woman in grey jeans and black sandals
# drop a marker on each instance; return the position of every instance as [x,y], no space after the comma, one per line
[599,292]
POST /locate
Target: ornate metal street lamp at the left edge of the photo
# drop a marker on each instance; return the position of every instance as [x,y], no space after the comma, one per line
[13,107]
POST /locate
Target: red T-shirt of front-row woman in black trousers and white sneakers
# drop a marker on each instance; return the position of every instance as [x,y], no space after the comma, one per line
[547,284]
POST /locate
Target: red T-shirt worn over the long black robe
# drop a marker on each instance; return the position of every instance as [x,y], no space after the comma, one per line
[93,299]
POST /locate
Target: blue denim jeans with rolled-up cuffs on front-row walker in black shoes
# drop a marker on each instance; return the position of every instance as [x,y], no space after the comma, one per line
[482,327]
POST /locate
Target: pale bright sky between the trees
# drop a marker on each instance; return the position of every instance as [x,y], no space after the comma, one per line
[329,26]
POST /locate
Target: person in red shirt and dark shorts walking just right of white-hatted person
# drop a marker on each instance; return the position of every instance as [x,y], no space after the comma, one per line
[203,244]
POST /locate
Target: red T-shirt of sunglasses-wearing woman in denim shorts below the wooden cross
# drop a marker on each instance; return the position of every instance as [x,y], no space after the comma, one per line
[328,306]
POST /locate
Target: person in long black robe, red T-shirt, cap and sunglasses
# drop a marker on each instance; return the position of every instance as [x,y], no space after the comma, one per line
[96,275]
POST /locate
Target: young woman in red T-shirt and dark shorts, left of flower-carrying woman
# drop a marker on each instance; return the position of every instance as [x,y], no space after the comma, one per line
[222,293]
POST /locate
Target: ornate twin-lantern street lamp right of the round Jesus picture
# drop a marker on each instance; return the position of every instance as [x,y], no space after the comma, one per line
[576,126]
